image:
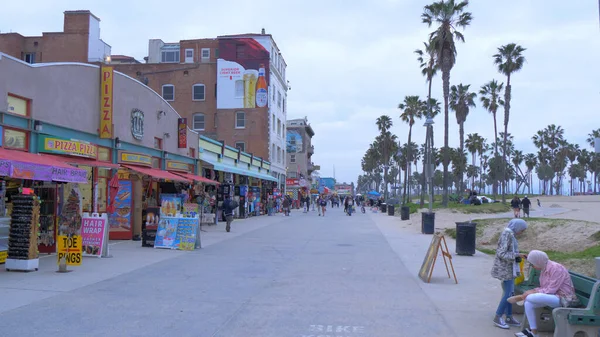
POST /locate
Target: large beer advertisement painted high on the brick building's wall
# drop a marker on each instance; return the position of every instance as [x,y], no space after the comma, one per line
[242,74]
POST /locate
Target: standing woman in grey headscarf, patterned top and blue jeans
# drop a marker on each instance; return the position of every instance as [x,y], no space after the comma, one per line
[506,269]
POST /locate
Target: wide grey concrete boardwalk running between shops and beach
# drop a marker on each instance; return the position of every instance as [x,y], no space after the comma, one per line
[298,276]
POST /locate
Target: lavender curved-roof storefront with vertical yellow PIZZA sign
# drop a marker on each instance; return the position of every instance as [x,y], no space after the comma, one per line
[134,140]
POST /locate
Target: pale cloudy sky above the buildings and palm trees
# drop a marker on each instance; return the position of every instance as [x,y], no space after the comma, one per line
[350,62]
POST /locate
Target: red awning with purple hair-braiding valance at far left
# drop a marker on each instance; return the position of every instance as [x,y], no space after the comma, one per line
[32,166]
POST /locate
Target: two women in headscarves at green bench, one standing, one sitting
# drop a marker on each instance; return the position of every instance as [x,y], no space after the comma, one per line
[555,290]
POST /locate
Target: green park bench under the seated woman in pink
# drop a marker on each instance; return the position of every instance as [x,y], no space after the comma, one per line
[567,322]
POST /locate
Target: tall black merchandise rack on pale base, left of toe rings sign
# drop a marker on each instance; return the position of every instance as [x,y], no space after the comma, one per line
[23,235]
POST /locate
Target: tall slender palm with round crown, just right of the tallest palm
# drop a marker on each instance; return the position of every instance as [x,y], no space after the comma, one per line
[509,60]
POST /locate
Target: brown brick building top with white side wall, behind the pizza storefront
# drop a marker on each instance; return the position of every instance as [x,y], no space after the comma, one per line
[78,42]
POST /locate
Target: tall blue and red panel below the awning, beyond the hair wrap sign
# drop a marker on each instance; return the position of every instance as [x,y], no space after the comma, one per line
[120,220]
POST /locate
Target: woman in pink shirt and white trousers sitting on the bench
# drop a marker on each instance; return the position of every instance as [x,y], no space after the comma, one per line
[555,289]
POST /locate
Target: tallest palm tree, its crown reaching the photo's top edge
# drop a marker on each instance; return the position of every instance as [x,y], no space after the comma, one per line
[450,16]
